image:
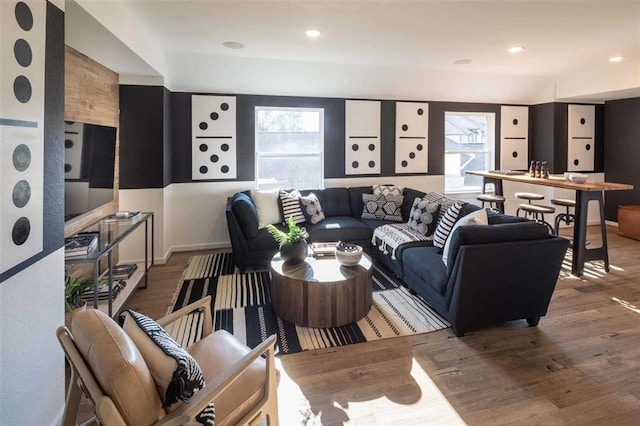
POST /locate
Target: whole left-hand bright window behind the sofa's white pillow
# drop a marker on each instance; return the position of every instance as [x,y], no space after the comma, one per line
[289,148]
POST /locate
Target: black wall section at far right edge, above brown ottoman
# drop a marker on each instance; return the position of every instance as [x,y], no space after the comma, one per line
[622,153]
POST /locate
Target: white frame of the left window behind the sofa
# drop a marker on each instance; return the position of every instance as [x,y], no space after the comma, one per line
[258,154]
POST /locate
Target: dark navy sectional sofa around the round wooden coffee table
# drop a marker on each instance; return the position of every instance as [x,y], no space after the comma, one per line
[506,270]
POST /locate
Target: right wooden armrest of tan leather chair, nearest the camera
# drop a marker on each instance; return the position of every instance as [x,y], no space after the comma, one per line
[187,412]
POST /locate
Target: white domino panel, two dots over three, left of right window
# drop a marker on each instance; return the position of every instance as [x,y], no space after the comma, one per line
[412,124]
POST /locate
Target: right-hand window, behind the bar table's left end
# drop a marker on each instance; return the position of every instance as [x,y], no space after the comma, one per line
[469,144]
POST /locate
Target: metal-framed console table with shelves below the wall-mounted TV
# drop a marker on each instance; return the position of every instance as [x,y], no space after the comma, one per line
[110,234]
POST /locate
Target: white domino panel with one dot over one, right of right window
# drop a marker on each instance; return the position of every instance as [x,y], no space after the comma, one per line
[514,137]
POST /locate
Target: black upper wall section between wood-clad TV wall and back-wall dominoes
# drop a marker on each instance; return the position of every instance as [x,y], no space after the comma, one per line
[141,137]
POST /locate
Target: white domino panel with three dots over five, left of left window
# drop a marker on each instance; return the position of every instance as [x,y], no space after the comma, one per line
[213,137]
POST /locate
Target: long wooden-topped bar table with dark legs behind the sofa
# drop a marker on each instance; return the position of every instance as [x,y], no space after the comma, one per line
[585,192]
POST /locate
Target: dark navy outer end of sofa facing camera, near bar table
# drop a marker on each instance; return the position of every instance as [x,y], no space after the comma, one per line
[498,282]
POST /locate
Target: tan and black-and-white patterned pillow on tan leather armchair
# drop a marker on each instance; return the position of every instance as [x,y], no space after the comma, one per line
[176,373]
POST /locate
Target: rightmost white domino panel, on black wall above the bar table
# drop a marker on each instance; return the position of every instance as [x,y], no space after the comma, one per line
[581,138]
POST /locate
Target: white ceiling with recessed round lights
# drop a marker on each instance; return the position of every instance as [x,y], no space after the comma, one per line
[558,36]
